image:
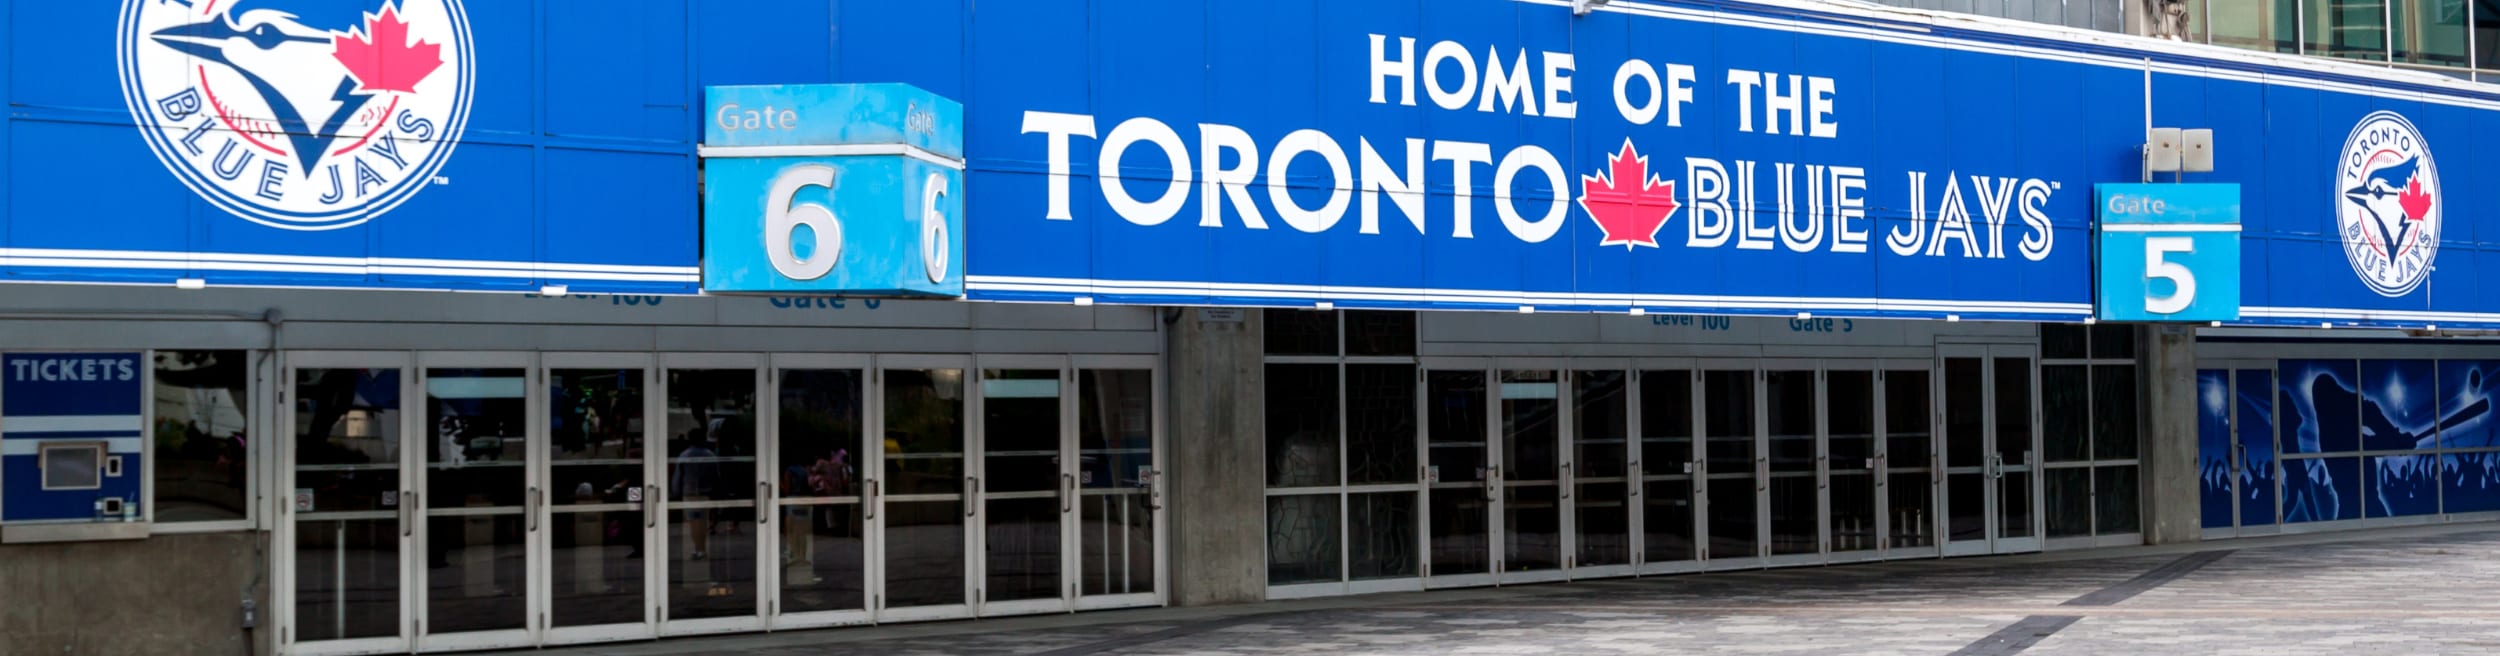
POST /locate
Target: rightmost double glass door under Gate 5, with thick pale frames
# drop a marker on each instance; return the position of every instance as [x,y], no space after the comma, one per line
[1991,442]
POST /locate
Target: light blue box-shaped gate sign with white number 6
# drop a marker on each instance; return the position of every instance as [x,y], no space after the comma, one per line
[834,189]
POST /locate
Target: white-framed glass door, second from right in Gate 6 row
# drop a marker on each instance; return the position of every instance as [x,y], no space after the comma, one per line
[1029,492]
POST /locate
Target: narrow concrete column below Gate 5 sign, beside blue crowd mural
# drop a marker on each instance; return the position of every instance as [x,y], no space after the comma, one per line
[2169,457]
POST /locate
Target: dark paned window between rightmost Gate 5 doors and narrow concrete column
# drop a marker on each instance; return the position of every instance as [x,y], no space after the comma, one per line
[2089,417]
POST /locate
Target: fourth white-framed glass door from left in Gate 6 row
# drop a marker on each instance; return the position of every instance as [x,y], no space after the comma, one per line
[714,525]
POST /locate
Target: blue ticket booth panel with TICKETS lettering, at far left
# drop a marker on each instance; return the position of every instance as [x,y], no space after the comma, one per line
[71,437]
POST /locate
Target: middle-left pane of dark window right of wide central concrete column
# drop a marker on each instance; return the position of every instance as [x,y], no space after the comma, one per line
[1301,427]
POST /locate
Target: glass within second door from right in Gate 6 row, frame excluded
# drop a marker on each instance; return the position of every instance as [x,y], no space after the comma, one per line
[1026,492]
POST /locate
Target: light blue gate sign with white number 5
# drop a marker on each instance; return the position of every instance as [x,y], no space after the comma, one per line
[2169,252]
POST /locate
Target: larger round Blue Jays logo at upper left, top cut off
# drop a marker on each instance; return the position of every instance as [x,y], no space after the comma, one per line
[296,114]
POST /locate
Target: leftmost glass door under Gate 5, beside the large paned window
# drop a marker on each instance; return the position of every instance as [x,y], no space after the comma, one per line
[1459,477]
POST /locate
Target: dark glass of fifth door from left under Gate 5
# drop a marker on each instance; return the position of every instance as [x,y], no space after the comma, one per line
[1731,487]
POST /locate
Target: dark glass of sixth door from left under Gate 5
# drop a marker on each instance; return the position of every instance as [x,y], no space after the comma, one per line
[1796,497]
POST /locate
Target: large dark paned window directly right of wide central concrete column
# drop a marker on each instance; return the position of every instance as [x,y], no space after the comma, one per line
[1341,447]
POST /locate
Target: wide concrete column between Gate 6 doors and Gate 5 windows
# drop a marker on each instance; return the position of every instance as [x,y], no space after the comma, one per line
[1216,447]
